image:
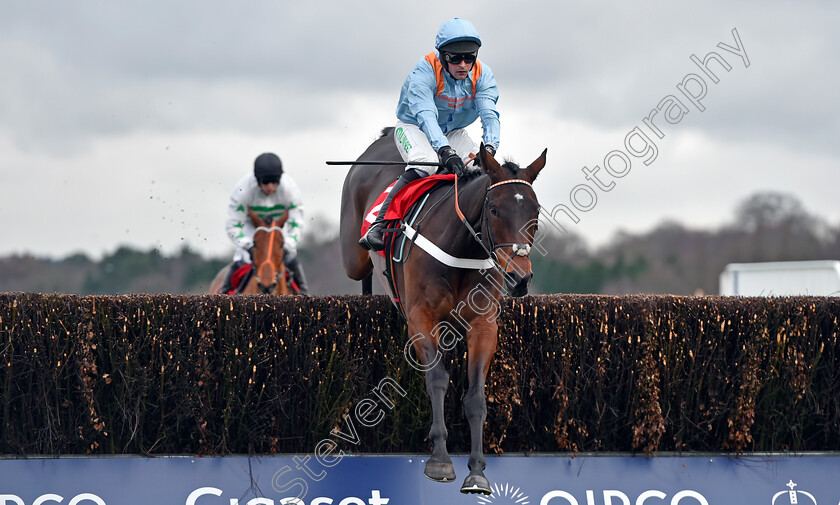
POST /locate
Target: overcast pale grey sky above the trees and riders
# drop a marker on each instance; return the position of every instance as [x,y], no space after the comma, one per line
[129,123]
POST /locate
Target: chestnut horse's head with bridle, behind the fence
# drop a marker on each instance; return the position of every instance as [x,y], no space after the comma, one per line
[268,253]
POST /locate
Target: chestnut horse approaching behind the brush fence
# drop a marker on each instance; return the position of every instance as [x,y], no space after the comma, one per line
[270,272]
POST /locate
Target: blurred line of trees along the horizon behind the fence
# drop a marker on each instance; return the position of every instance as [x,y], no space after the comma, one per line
[669,259]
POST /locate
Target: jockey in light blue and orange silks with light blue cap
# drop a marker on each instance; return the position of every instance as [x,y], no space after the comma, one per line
[447,91]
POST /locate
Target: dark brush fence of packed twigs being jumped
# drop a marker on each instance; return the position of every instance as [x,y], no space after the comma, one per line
[213,375]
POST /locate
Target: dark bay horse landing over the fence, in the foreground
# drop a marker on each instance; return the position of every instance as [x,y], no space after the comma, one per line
[441,302]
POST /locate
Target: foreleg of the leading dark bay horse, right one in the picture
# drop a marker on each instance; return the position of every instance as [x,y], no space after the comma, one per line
[481,345]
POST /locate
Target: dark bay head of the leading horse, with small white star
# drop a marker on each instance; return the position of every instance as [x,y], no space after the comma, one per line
[510,217]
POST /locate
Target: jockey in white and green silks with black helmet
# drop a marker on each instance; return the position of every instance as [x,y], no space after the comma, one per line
[269,193]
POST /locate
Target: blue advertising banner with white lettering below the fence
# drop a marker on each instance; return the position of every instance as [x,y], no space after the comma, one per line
[398,480]
